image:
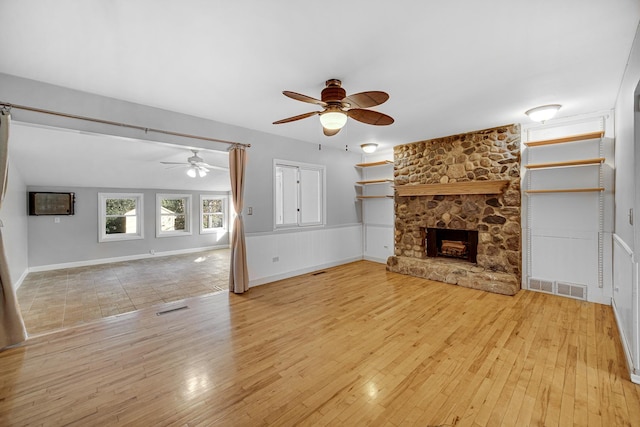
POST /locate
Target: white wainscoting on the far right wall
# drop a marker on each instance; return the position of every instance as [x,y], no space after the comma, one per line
[625,303]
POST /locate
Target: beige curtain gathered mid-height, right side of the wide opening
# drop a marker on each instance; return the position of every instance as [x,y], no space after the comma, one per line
[238,273]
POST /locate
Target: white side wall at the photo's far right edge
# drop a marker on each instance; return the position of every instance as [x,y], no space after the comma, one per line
[627,231]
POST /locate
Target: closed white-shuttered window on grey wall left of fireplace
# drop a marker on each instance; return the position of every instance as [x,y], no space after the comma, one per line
[298,194]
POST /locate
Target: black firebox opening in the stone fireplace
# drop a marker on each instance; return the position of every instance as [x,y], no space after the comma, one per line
[448,243]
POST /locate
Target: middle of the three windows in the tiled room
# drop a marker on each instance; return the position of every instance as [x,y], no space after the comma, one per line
[173,215]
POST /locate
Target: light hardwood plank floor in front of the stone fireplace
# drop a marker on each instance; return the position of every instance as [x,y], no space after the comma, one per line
[353,346]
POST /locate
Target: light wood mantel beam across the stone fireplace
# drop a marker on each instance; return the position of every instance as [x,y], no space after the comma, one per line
[453,188]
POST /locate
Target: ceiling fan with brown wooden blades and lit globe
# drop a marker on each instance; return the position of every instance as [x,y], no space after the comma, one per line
[338,106]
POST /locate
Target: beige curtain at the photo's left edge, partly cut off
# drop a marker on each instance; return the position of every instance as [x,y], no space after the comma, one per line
[12,330]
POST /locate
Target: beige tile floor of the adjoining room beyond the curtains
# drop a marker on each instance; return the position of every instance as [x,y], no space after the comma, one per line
[58,299]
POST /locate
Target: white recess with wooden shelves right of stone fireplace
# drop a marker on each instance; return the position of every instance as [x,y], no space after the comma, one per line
[567,172]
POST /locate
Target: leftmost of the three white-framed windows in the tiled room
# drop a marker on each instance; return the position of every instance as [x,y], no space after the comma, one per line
[120,216]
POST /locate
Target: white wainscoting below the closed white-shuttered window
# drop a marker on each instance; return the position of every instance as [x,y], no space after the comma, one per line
[281,254]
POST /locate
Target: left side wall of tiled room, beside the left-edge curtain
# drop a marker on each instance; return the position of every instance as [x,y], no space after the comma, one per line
[14,230]
